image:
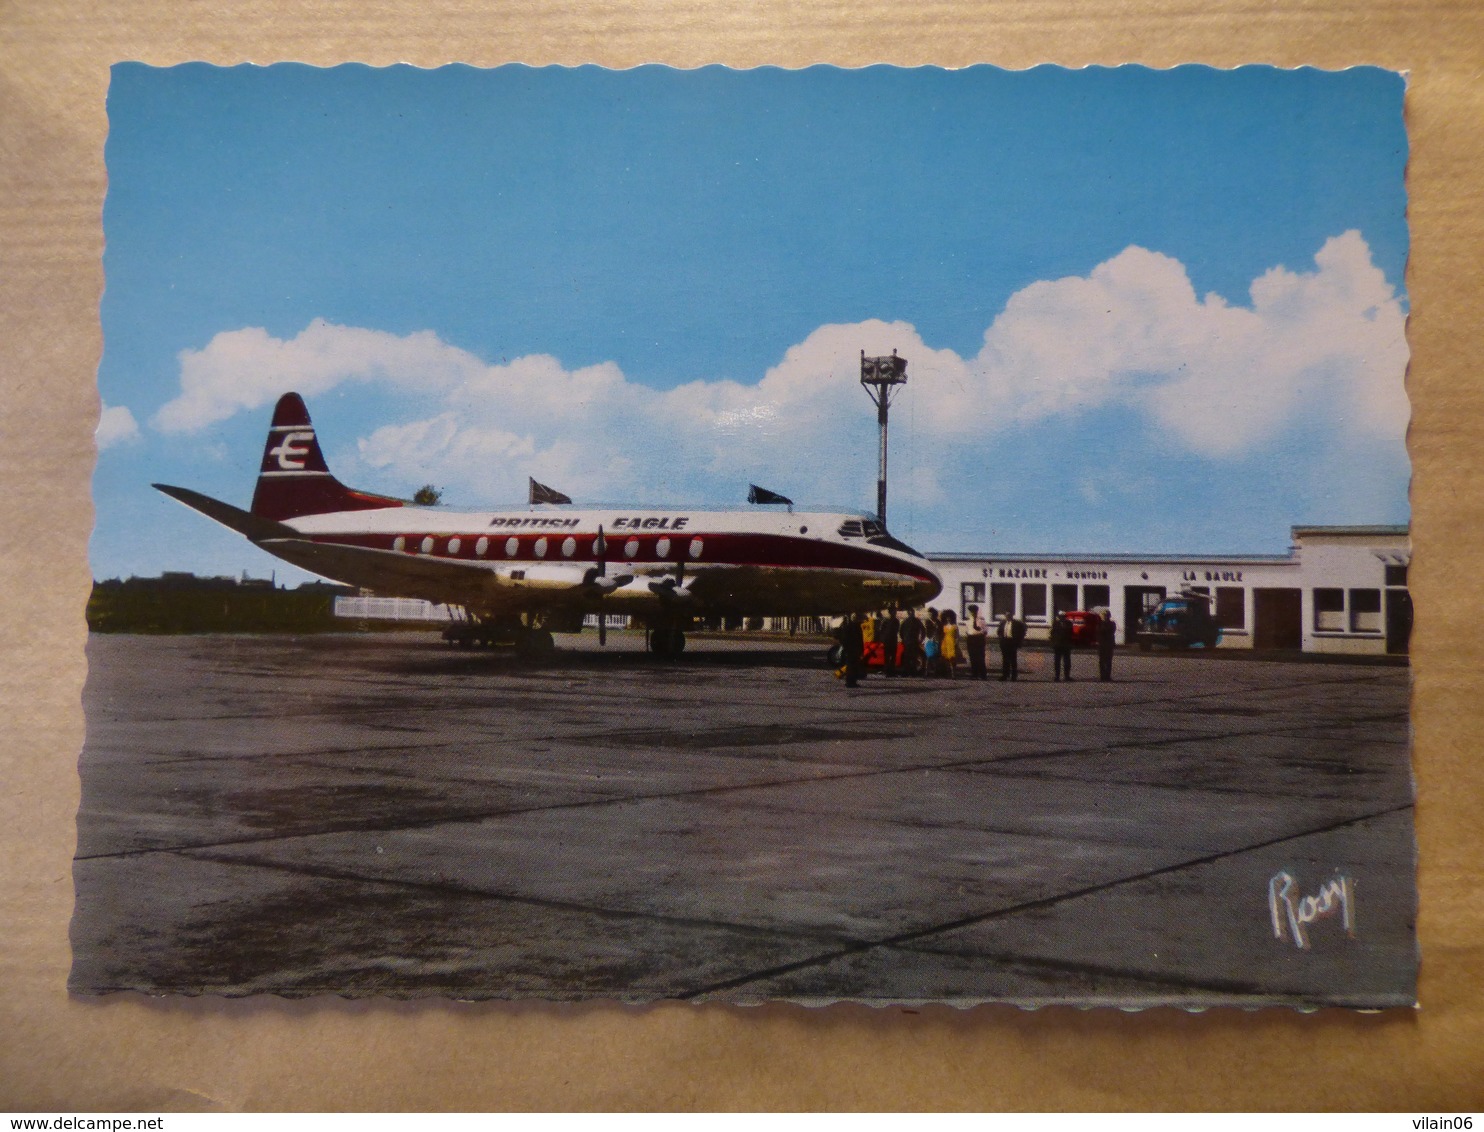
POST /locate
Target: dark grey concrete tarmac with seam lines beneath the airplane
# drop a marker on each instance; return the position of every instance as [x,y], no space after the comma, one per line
[385,815]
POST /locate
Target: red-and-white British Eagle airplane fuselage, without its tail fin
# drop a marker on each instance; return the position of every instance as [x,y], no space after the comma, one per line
[723,563]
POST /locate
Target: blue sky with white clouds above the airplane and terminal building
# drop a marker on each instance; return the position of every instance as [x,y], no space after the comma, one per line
[1143,311]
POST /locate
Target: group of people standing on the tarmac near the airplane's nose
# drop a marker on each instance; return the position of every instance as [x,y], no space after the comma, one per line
[937,645]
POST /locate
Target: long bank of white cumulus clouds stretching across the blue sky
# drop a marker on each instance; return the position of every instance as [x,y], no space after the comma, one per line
[1212,379]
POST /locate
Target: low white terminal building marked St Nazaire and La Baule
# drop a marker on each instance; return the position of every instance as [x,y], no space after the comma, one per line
[1339,590]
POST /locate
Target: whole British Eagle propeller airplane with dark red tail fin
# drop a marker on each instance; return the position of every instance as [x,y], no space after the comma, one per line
[523,572]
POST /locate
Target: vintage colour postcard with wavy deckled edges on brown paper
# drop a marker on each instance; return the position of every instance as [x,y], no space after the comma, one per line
[894,536]
